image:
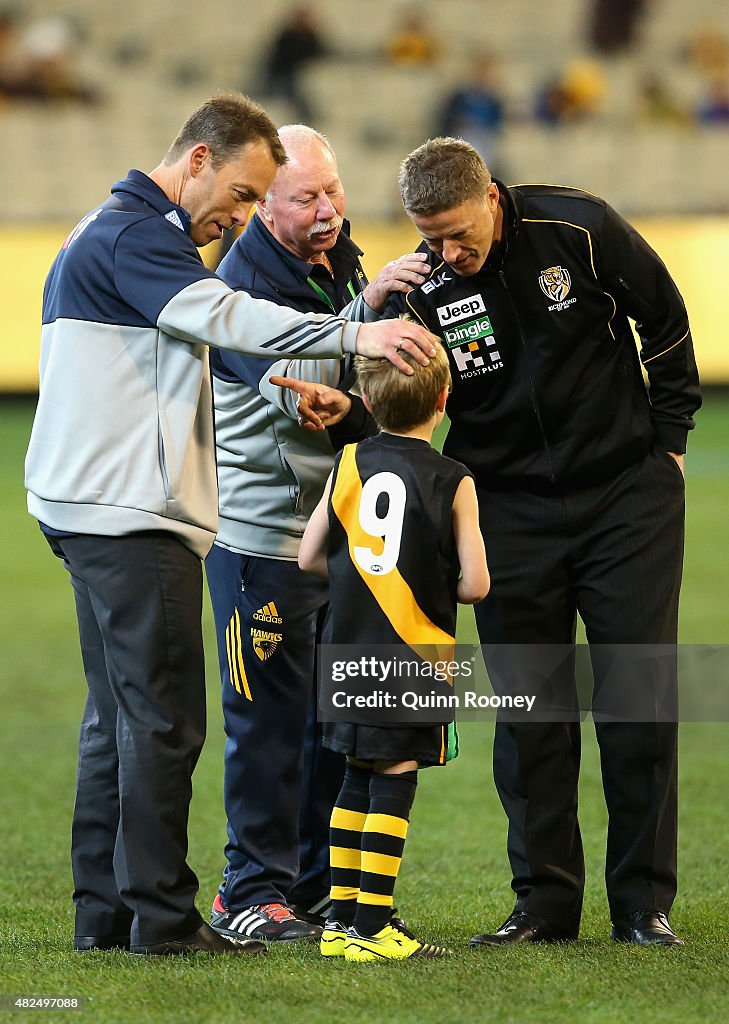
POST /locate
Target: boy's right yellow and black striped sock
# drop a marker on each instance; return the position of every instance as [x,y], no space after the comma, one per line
[382,845]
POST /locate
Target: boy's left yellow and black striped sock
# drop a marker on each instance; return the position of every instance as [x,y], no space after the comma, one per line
[347,827]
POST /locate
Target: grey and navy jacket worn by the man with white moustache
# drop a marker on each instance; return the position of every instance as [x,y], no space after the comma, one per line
[272,473]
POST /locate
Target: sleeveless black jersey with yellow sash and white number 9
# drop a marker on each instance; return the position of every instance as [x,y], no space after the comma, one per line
[393,561]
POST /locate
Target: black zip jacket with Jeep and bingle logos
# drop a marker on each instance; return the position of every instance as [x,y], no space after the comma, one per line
[548,389]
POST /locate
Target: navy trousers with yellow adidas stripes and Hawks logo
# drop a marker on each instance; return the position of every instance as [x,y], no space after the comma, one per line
[281,784]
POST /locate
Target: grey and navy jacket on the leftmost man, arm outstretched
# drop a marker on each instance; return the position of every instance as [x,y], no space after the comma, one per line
[123,436]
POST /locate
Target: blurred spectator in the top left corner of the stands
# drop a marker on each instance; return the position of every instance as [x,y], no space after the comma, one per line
[39,64]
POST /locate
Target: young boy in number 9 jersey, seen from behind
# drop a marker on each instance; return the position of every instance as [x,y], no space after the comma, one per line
[397,526]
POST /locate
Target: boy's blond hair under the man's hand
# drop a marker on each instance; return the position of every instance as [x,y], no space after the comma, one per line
[401,403]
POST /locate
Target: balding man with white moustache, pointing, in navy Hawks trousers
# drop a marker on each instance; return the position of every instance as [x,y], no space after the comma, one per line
[280,783]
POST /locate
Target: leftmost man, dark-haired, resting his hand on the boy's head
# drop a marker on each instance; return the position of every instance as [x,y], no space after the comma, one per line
[121,477]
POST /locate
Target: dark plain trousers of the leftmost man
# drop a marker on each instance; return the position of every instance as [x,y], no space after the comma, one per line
[139,603]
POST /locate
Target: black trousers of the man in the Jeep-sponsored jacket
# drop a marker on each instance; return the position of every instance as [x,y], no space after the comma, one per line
[614,553]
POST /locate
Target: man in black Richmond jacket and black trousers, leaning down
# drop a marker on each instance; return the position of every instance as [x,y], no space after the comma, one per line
[580,477]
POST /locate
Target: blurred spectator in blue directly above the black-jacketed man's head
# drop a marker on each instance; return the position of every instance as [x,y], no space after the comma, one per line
[476,111]
